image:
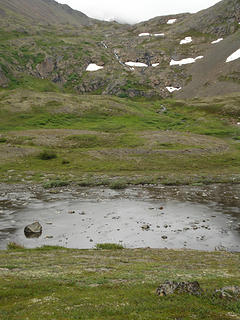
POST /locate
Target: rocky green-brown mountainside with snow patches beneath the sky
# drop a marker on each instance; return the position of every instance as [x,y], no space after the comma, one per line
[41,39]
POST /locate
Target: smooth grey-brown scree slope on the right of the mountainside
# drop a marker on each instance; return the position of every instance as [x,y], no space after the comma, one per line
[212,75]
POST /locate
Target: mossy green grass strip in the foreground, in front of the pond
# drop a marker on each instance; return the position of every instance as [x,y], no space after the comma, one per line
[57,283]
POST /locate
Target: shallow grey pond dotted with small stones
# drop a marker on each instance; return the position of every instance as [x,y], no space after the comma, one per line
[204,218]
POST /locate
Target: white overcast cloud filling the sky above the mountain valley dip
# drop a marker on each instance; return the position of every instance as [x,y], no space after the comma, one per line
[133,11]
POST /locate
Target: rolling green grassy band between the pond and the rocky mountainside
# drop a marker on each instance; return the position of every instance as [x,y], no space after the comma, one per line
[117,138]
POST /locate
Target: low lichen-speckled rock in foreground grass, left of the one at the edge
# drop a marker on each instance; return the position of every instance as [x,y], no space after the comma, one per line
[170,287]
